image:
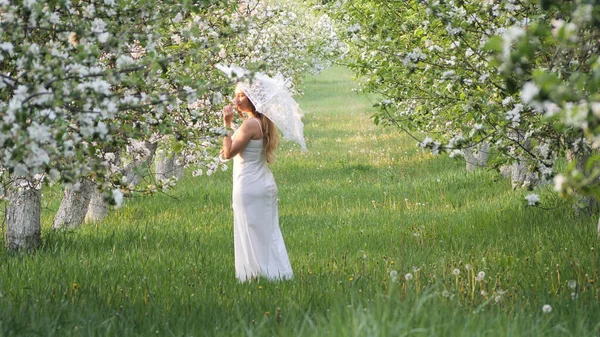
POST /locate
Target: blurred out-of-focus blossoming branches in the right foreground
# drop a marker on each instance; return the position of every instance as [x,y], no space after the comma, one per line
[565,90]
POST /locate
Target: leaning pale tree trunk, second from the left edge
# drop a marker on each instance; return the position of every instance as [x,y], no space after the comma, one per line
[74,205]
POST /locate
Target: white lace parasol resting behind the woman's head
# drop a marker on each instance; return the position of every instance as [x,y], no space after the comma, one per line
[271,97]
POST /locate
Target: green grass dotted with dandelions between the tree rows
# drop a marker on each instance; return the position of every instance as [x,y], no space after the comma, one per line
[363,202]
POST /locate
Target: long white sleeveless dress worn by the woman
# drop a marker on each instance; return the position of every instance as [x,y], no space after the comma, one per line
[258,243]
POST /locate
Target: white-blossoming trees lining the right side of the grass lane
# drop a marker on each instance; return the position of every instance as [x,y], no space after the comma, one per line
[468,74]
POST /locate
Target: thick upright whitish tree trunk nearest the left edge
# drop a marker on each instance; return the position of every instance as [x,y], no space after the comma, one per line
[23,213]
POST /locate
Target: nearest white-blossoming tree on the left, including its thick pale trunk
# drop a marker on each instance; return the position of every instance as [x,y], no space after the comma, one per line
[78,82]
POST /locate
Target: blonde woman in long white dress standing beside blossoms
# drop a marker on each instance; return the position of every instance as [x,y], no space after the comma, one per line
[258,243]
